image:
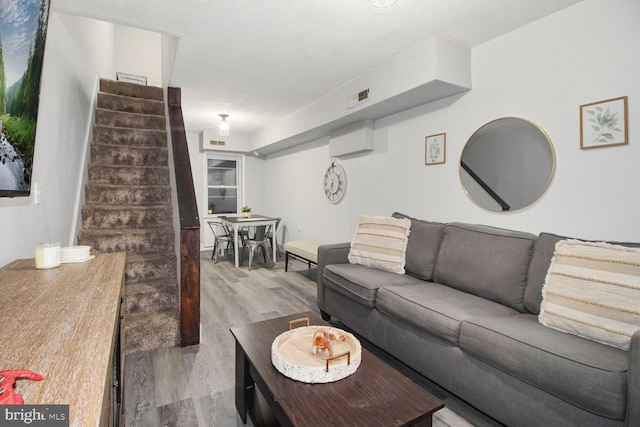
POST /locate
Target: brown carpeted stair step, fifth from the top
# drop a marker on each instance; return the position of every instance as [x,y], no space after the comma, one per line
[133,156]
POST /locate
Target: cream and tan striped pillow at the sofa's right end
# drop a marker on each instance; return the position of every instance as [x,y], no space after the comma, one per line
[593,290]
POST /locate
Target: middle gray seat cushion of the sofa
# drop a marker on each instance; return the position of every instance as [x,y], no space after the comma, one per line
[435,308]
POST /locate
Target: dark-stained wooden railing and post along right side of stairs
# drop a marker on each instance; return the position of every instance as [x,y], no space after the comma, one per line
[189,225]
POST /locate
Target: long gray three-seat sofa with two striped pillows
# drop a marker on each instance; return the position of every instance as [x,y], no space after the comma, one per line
[465,316]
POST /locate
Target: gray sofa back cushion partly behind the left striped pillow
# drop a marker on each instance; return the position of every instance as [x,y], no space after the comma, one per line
[424,243]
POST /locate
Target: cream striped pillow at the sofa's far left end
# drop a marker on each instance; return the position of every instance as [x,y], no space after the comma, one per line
[380,242]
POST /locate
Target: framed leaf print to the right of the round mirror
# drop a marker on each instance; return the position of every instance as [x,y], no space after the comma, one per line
[603,123]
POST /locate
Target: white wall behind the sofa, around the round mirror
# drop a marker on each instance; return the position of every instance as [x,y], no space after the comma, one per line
[542,72]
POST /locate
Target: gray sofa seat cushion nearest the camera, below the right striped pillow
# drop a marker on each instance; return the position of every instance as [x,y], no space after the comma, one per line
[585,373]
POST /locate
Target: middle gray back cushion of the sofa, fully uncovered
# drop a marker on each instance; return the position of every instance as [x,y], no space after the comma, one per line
[485,261]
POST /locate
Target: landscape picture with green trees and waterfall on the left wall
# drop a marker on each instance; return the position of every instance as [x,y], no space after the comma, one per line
[23,30]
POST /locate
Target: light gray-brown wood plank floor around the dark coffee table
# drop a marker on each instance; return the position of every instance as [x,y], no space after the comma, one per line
[194,386]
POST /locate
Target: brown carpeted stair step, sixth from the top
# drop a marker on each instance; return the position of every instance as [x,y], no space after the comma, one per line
[128,175]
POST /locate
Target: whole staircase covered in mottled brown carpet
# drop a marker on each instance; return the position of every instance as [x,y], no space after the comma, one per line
[128,208]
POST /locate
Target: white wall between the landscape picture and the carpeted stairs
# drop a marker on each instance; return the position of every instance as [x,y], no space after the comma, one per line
[77,50]
